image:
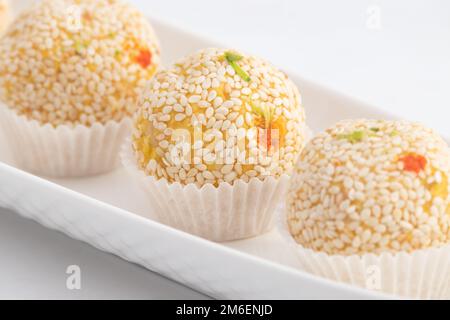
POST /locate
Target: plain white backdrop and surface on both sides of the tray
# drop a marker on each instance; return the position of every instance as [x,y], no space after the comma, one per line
[393,54]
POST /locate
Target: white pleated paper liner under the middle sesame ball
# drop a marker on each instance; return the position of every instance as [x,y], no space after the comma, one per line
[224,213]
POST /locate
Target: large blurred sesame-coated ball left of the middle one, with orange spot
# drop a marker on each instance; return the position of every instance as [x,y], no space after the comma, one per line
[77,61]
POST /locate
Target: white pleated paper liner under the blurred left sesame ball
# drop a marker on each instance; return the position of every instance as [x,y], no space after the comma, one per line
[64,151]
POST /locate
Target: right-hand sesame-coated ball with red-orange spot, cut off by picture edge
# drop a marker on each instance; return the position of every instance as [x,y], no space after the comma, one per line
[366,186]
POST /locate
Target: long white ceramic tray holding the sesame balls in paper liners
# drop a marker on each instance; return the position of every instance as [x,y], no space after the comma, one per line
[110,213]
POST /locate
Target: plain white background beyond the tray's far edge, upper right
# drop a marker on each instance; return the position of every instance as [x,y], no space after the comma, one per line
[401,64]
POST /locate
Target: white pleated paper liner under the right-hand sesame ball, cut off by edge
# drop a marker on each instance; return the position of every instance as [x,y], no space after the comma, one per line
[423,274]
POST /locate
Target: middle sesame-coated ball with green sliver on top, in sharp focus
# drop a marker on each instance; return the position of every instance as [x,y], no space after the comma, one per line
[239,116]
